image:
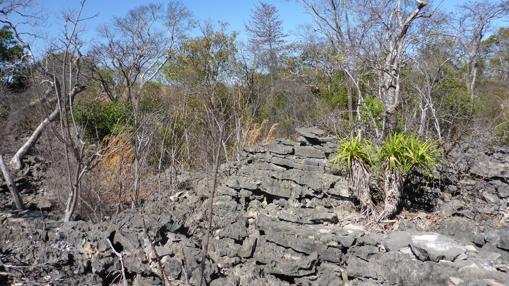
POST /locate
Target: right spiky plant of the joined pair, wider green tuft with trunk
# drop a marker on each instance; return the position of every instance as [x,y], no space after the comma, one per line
[399,154]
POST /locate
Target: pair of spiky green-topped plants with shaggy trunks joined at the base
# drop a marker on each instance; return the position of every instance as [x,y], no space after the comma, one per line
[393,160]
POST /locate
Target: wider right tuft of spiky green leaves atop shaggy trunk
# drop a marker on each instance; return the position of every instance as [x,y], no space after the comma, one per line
[402,152]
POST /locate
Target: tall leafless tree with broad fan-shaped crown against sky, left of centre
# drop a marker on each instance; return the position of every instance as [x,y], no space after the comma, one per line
[133,53]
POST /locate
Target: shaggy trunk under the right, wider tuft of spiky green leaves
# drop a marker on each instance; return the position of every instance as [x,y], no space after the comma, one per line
[392,189]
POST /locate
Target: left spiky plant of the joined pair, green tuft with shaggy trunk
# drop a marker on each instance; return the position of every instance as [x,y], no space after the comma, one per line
[355,158]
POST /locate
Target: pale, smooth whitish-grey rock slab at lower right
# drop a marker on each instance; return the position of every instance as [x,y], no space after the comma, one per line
[435,247]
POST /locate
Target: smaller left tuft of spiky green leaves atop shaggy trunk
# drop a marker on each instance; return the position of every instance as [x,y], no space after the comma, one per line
[353,148]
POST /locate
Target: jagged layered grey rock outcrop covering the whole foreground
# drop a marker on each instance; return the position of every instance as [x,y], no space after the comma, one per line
[281,217]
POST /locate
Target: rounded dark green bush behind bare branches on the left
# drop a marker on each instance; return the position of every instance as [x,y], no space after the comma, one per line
[102,119]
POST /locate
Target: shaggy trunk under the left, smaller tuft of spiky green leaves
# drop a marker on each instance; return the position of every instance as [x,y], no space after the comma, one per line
[359,184]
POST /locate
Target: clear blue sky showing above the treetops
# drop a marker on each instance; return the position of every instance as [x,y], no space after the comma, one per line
[235,12]
